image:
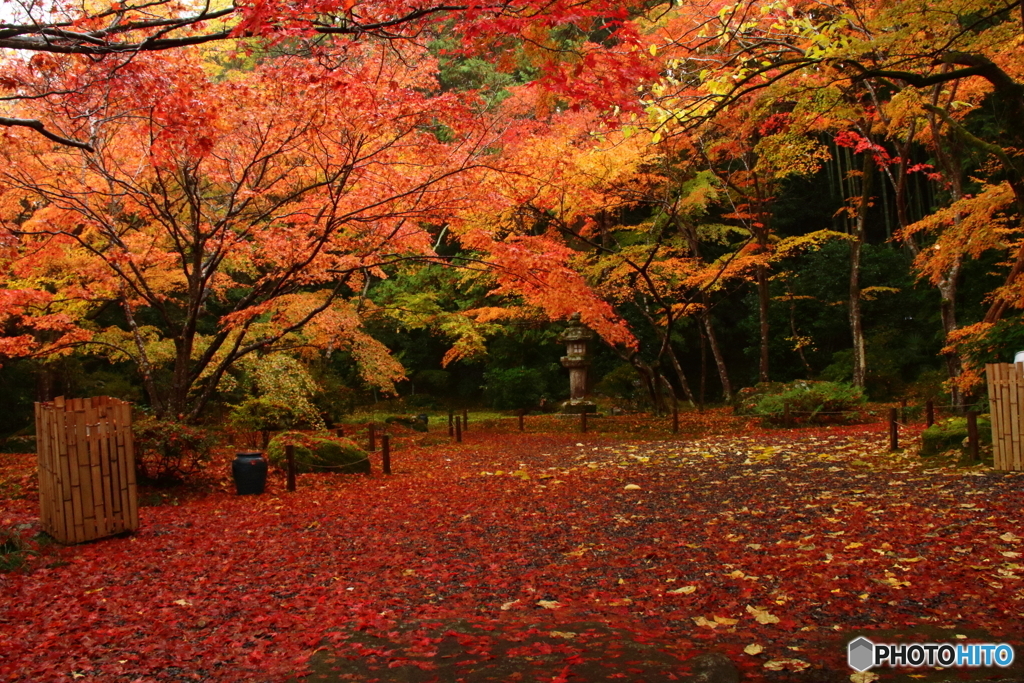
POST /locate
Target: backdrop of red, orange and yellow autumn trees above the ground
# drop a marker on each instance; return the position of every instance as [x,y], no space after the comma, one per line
[282,211]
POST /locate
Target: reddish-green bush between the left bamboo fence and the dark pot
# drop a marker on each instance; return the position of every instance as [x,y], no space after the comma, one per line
[168,452]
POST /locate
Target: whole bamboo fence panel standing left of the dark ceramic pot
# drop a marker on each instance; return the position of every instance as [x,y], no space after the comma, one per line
[87,468]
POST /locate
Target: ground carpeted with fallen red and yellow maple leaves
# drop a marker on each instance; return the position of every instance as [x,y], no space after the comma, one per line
[534,558]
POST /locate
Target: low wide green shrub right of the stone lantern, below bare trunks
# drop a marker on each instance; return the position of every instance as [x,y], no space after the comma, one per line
[812,403]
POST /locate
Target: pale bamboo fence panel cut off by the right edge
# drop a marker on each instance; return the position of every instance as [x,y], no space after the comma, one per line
[1006,398]
